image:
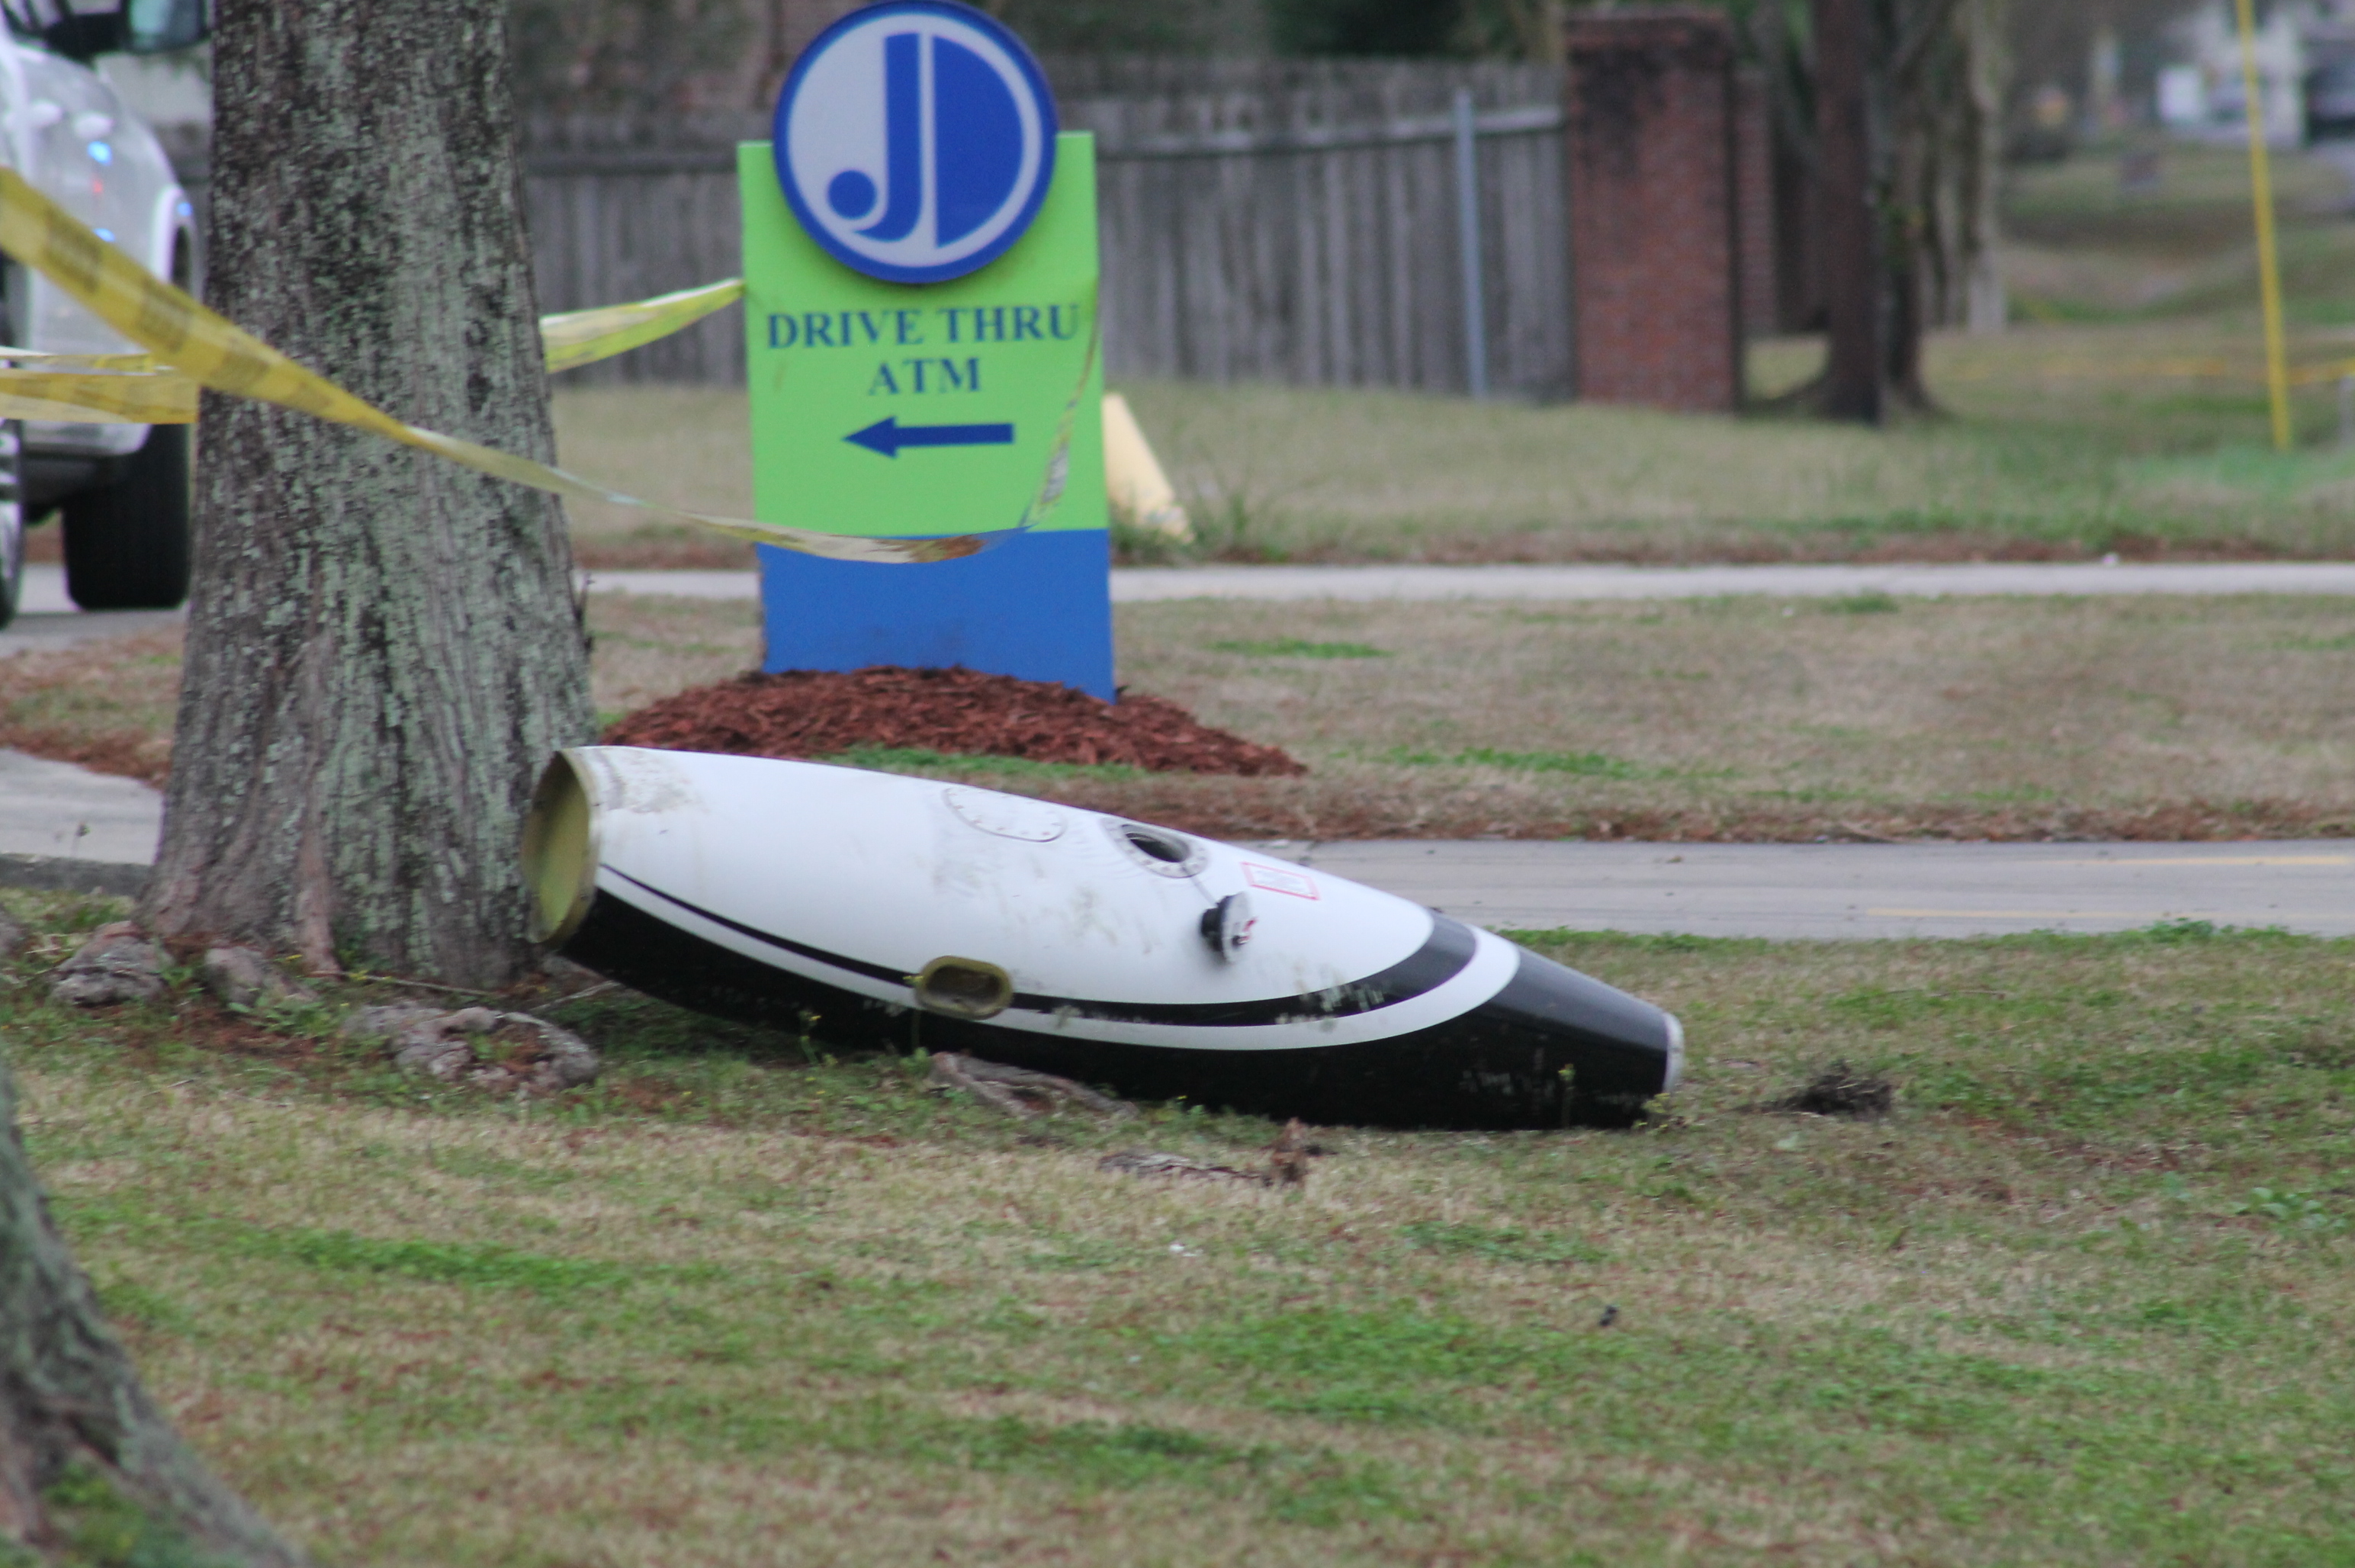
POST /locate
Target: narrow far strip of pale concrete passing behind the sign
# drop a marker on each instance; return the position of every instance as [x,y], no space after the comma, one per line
[1603,583]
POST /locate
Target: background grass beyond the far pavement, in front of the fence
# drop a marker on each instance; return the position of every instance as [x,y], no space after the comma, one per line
[2123,413]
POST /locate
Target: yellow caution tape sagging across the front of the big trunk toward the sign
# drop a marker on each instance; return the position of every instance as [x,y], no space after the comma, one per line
[227,359]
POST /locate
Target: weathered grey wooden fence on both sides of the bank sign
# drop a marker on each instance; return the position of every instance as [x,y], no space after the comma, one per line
[1261,220]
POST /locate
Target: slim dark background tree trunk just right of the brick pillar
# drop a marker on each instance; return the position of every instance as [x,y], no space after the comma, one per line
[1852,220]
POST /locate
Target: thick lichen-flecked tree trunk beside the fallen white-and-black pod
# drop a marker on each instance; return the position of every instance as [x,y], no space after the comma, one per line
[383,649]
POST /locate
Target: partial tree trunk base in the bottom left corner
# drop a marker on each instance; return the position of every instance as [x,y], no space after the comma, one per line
[84,1449]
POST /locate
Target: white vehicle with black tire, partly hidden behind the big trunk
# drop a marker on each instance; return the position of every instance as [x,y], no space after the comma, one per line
[121,489]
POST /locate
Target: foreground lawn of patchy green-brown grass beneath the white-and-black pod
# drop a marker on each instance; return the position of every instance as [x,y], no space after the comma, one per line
[2083,1298]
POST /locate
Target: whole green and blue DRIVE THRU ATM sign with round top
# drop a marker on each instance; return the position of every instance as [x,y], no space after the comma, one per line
[920,300]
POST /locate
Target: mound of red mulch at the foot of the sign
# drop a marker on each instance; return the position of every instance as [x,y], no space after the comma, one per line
[964,712]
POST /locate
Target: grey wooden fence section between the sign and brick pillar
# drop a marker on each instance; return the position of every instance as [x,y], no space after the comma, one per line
[1306,222]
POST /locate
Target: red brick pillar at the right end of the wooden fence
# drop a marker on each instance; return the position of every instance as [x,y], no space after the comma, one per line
[1654,232]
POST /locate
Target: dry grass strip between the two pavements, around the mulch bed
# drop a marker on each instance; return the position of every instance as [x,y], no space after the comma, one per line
[1699,719]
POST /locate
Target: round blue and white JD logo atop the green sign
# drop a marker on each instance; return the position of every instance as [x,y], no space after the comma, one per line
[915,140]
